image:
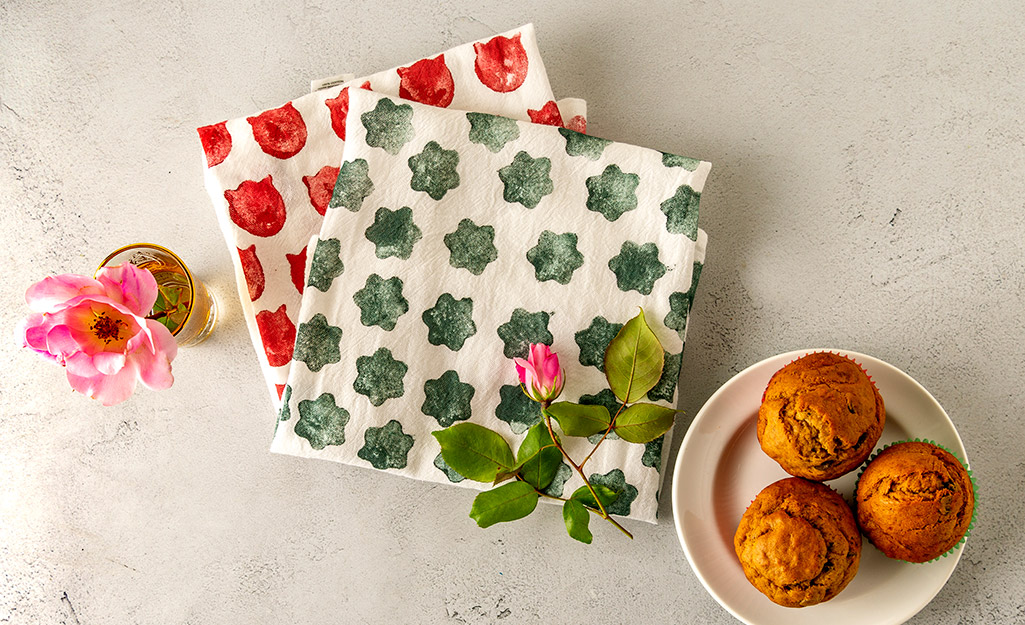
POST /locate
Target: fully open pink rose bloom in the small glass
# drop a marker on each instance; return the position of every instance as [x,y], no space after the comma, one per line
[97,329]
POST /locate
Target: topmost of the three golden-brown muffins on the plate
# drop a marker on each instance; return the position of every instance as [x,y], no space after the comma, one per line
[821,416]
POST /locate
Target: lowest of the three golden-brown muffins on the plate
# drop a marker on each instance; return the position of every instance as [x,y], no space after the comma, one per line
[799,543]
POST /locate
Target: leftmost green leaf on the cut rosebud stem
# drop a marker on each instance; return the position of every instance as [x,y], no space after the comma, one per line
[475,452]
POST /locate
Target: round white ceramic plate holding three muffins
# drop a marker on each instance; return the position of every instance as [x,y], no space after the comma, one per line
[721,469]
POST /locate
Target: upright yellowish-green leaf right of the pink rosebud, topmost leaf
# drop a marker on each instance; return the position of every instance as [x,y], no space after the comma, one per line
[634,361]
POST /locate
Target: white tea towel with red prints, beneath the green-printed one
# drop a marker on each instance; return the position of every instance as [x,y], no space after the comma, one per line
[271,176]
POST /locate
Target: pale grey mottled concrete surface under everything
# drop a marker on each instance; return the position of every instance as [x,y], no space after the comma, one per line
[869,192]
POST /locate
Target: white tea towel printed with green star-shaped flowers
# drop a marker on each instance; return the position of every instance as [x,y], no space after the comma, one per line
[455,240]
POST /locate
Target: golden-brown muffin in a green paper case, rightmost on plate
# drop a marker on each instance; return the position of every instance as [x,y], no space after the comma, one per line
[916,502]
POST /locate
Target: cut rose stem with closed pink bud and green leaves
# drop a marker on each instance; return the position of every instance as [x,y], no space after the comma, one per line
[634,364]
